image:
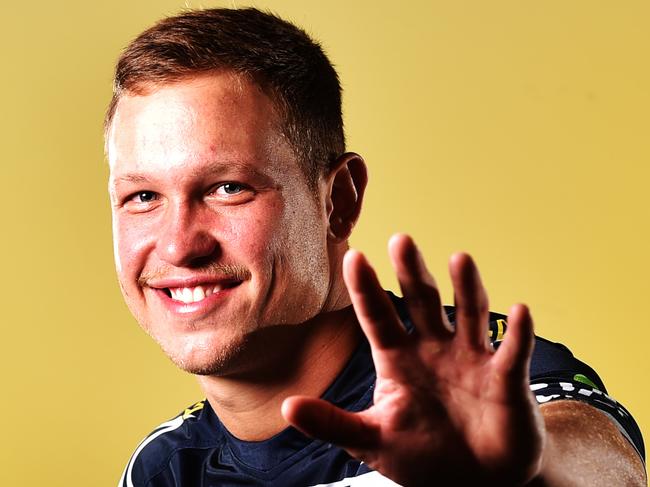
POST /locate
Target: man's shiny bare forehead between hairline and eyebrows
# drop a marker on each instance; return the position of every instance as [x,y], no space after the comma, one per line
[185,124]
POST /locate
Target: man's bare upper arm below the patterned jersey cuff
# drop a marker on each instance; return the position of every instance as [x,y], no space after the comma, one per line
[584,447]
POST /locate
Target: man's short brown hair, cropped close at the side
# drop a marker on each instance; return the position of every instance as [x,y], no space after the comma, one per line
[280,57]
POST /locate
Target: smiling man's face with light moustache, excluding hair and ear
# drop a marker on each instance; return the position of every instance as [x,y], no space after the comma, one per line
[216,232]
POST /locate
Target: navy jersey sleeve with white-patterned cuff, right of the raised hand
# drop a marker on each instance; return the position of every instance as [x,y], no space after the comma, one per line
[556,374]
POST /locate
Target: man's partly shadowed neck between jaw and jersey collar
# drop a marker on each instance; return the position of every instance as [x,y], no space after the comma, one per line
[305,360]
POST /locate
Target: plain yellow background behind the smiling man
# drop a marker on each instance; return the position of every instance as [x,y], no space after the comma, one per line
[516,130]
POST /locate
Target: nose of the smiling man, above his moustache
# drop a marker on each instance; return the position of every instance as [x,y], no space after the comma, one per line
[185,239]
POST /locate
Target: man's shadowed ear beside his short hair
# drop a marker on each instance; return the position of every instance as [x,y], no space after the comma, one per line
[347,183]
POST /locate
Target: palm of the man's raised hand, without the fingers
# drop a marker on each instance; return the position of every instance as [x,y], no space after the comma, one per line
[447,410]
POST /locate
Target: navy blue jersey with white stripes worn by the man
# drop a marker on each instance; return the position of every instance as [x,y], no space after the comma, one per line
[195,450]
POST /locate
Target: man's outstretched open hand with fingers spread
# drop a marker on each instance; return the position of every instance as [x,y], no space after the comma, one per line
[447,407]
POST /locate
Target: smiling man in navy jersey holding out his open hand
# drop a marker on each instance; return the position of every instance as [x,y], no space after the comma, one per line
[233,199]
